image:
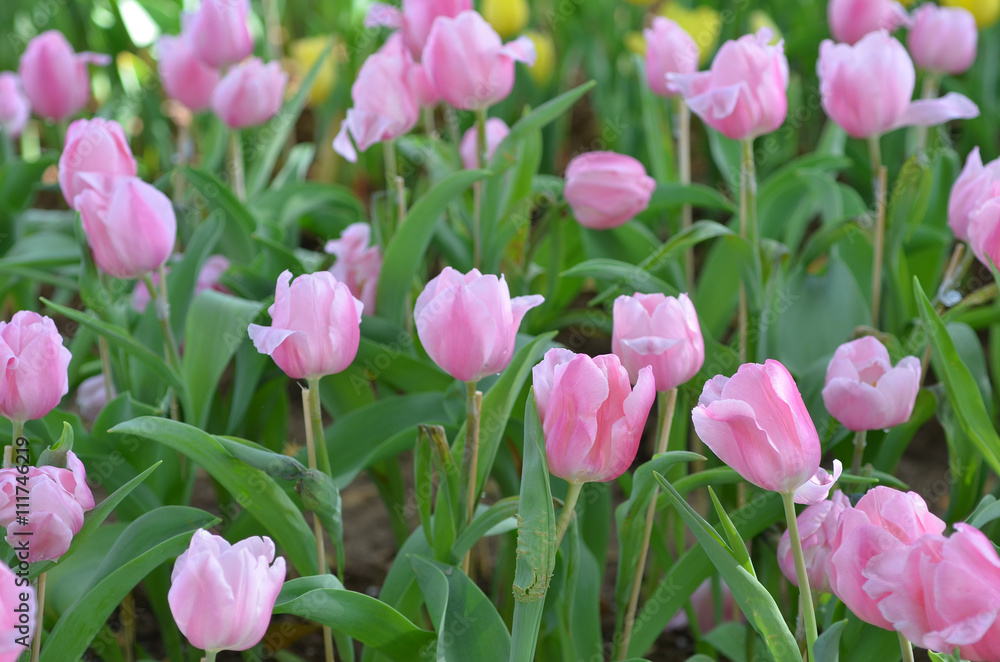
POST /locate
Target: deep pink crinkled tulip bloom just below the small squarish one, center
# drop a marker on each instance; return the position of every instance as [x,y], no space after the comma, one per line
[591,416]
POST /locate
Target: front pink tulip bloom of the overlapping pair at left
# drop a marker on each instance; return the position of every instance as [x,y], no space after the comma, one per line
[132,232]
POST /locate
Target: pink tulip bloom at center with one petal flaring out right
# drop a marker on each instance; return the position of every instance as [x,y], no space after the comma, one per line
[467,323]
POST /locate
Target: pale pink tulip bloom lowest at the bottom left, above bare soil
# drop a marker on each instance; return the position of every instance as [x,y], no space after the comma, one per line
[222,595]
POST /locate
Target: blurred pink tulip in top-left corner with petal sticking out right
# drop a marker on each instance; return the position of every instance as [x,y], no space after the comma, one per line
[55,78]
